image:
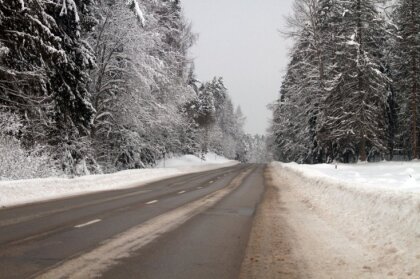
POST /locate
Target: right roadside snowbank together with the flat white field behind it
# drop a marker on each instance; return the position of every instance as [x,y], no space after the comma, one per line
[374,205]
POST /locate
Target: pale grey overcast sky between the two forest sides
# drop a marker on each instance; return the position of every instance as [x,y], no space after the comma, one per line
[239,40]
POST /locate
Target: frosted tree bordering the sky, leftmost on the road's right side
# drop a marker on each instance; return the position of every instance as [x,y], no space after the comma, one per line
[304,85]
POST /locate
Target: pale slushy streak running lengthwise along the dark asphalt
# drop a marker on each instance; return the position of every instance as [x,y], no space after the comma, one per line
[107,254]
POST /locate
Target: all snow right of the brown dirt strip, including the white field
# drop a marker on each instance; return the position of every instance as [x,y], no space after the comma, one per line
[368,217]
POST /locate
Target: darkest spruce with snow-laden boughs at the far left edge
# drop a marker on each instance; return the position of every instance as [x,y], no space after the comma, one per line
[44,73]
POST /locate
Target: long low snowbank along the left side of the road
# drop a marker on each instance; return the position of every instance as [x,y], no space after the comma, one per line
[31,190]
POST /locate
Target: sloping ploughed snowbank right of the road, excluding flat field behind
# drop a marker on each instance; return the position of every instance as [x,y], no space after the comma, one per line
[383,220]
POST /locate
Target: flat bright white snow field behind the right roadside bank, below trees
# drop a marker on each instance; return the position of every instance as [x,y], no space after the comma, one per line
[400,176]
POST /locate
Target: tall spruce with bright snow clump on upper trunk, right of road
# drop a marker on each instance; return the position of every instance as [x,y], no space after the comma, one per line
[354,112]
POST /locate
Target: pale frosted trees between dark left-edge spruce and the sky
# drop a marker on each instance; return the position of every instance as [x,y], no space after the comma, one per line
[140,85]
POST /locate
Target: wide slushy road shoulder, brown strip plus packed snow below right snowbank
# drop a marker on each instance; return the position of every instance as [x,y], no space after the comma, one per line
[292,238]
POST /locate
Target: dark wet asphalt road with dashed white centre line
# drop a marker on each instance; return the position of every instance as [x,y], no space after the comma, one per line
[191,226]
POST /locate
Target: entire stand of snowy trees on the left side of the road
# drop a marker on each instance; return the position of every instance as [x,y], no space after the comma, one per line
[106,85]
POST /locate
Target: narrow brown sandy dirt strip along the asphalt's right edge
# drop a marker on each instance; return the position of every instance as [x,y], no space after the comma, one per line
[269,253]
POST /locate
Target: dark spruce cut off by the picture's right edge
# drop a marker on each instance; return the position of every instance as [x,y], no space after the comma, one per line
[406,74]
